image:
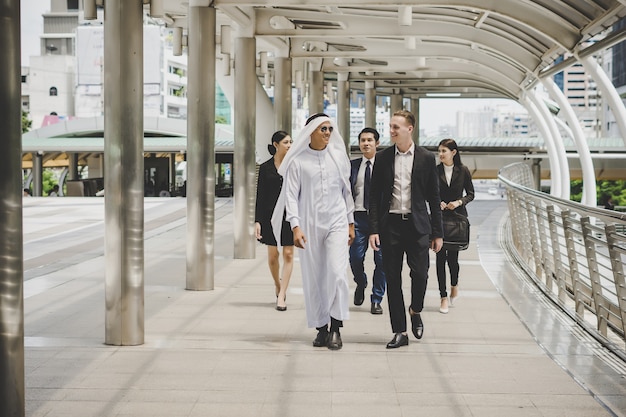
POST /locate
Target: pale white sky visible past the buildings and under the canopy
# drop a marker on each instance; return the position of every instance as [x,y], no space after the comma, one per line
[434,112]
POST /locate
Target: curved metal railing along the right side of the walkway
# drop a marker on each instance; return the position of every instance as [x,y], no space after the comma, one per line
[574,253]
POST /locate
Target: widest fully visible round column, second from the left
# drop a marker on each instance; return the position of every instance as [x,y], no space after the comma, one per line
[124,174]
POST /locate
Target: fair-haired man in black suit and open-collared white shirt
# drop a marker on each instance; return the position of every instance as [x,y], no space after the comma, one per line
[403,181]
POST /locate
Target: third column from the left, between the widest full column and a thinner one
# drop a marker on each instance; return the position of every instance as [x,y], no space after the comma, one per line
[201,149]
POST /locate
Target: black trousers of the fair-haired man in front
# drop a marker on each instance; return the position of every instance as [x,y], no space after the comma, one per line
[398,239]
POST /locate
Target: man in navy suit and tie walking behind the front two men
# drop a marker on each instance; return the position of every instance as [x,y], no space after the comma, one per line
[360,176]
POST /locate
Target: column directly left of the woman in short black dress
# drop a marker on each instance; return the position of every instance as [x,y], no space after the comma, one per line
[244,169]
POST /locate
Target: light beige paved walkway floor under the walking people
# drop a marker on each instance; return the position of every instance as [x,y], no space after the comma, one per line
[228,352]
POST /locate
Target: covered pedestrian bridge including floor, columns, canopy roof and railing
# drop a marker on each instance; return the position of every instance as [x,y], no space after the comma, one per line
[107,331]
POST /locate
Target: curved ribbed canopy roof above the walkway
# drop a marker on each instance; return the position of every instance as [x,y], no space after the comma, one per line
[475,48]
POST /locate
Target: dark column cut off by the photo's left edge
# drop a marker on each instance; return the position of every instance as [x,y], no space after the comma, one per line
[11,244]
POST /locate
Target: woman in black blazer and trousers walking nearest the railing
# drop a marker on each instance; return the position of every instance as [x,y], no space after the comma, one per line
[454,179]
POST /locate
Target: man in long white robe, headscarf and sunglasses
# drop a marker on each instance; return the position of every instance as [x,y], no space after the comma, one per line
[317,198]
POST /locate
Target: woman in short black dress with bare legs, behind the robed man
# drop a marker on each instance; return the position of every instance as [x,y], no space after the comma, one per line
[268,189]
